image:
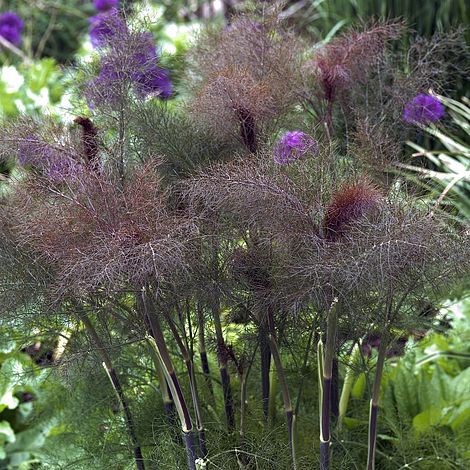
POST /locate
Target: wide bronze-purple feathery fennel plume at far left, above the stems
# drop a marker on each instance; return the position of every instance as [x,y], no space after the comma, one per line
[96,235]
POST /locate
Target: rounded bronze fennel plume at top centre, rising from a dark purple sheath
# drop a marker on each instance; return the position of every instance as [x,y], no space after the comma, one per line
[249,71]
